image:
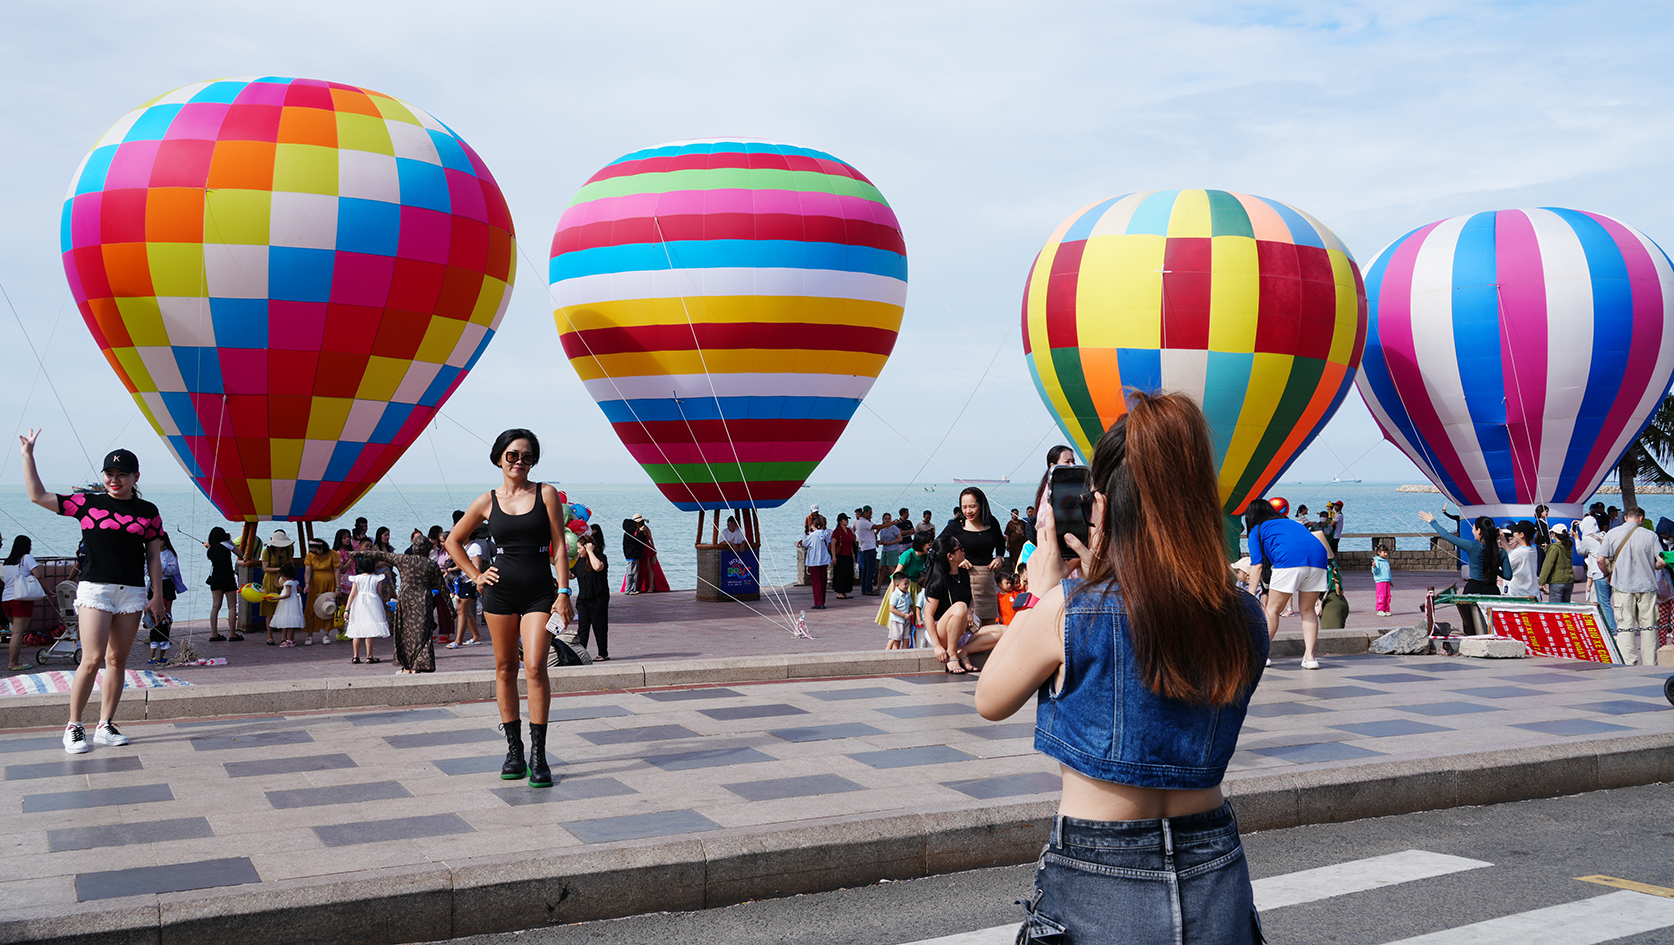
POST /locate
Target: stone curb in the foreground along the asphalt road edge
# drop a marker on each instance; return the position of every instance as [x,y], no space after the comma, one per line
[707,871]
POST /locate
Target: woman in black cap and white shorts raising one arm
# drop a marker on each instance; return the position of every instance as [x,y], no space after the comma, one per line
[113,590]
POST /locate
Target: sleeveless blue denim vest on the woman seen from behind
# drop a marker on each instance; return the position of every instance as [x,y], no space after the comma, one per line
[1107,725]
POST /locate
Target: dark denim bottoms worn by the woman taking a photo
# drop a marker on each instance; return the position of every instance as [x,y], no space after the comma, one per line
[1174,881]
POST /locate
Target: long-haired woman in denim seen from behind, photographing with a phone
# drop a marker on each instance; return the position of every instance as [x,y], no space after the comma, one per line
[1143,673]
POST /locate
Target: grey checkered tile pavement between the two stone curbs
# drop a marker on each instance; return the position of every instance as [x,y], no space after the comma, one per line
[314,795]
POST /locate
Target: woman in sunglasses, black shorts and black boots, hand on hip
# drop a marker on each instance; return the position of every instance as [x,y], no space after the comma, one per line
[518,593]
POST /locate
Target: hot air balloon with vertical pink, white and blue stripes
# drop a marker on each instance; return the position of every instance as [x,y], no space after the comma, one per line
[1514,355]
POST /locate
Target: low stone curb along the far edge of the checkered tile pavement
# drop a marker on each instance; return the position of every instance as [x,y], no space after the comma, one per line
[478,687]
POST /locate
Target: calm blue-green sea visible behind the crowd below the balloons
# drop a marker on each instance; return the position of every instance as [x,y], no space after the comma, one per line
[1372,508]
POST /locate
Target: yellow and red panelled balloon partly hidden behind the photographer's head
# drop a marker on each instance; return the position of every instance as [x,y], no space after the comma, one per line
[1251,307]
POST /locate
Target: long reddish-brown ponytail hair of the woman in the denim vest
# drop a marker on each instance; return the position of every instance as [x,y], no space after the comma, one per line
[1163,546]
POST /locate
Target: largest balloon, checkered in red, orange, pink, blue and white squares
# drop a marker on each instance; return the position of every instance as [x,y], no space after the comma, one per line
[290,277]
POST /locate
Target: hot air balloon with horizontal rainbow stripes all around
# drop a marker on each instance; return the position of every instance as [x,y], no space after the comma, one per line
[729,304]
